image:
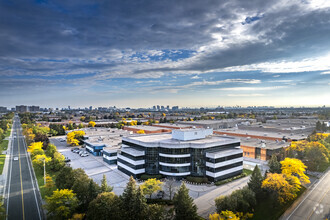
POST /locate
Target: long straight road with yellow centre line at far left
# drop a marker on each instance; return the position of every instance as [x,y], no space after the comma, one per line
[22,200]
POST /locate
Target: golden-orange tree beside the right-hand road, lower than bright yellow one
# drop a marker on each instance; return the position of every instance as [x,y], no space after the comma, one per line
[284,187]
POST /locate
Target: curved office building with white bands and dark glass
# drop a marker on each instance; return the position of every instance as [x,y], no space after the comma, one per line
[188,152]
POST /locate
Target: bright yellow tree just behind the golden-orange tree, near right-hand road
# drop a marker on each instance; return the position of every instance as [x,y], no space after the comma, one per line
[292,166]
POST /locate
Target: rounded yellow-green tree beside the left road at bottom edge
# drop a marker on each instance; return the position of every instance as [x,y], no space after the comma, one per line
[61,204]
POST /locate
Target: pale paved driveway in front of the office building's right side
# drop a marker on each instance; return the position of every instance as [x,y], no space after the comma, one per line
[205,203]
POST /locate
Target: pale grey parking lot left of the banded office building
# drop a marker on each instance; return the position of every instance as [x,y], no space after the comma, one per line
[94,166]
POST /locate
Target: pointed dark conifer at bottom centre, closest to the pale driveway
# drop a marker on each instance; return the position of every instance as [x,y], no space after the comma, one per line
[184,206]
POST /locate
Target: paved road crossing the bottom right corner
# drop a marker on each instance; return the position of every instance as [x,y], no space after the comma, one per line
[315,204]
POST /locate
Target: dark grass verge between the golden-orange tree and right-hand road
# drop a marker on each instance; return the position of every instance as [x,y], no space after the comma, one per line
[266,209]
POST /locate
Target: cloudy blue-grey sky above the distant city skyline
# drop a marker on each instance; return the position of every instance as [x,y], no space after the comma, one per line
[173,52]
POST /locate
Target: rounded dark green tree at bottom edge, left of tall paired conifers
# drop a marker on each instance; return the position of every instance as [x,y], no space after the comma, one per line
[105,206]
